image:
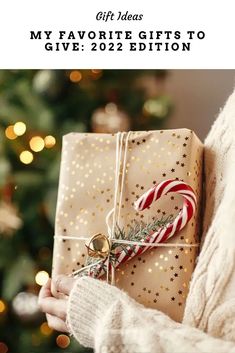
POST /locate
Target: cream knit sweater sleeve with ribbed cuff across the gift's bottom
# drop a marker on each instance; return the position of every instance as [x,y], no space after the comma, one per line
[105,318]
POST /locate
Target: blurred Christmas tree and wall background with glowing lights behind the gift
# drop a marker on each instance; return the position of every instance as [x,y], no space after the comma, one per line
[36,109]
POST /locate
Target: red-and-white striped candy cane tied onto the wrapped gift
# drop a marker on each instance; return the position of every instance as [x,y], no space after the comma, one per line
[166,232]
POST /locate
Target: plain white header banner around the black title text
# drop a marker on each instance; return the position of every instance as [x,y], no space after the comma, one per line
[216,18]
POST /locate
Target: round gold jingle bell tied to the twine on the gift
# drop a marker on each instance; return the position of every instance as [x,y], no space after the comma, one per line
[99,246]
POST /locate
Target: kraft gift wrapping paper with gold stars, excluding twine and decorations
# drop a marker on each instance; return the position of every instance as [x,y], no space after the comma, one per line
[160,277]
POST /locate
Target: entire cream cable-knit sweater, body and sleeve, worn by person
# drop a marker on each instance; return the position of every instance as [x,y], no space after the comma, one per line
[107,319]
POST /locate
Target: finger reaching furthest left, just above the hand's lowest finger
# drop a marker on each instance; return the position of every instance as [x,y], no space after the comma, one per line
[55,307]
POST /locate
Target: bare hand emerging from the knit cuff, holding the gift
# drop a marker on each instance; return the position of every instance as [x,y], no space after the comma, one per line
[54,308]
